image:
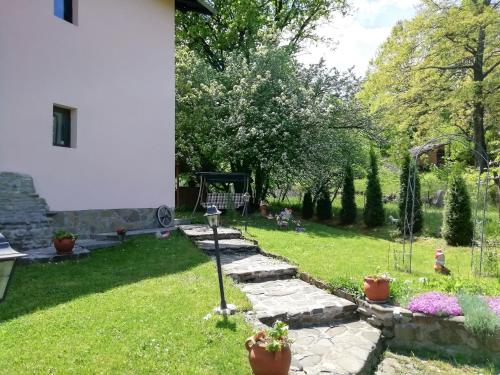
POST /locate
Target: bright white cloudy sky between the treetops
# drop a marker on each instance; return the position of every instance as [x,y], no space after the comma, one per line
[357,36]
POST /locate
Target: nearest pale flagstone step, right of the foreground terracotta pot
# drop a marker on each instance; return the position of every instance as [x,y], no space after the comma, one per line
[340,349]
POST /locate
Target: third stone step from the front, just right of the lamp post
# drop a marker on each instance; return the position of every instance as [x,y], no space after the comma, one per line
[252,267]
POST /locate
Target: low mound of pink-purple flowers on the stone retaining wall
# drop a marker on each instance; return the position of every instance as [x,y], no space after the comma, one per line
[434,303]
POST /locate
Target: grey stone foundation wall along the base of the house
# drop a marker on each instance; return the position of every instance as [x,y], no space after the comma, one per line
[89,222]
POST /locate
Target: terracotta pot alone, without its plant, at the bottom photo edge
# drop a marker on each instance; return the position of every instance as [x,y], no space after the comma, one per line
[264,362]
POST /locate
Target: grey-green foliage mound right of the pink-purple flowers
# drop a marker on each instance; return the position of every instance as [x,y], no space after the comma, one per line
[479,318]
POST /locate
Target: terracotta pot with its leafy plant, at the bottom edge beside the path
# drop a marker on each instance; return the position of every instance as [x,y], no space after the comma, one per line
[269,350]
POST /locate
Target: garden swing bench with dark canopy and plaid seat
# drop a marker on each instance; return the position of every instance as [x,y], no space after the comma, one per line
[223,200]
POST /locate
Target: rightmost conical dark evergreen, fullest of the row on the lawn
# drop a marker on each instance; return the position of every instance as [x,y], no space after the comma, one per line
[457,223]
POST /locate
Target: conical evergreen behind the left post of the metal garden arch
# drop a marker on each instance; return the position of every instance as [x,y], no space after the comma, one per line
[409,168]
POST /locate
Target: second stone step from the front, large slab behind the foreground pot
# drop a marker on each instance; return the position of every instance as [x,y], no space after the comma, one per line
[296,302]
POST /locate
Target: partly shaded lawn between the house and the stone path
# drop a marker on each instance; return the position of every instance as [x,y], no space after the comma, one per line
[136,308]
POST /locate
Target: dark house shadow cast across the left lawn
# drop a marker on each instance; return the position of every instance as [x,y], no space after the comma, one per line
[39,286]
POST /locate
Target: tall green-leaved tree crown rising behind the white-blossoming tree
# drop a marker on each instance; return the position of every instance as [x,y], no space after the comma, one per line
[240,25]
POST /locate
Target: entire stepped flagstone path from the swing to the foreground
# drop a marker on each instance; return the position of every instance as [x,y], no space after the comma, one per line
[327,340]
